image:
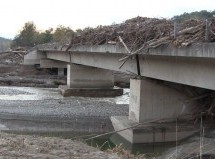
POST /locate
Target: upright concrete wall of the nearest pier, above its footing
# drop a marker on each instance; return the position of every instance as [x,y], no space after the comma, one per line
[150,100]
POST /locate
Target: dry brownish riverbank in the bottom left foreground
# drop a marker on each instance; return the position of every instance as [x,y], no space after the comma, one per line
[25,146]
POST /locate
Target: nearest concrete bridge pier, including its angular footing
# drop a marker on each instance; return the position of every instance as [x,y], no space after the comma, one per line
[153,110]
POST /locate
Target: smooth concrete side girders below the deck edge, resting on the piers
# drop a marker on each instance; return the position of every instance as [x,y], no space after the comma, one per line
[191,71]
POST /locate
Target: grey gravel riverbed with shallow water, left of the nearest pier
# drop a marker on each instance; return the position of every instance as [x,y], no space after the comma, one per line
[44,109]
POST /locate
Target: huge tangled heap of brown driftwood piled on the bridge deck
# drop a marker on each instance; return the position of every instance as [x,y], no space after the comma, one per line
[148,33]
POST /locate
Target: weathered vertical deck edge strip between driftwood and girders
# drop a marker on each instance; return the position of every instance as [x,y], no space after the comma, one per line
[203,50]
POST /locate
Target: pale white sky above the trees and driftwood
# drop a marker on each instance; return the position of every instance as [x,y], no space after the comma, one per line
[84,13]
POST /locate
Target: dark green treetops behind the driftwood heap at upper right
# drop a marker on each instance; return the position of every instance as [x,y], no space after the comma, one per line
[194,15]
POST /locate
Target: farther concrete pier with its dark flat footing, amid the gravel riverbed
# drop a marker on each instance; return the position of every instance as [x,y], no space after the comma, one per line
[89,82]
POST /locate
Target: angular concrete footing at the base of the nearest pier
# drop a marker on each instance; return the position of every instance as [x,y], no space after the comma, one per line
[151,132]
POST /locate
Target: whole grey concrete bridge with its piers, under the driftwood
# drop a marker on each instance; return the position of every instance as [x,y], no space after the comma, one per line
[168,77]
